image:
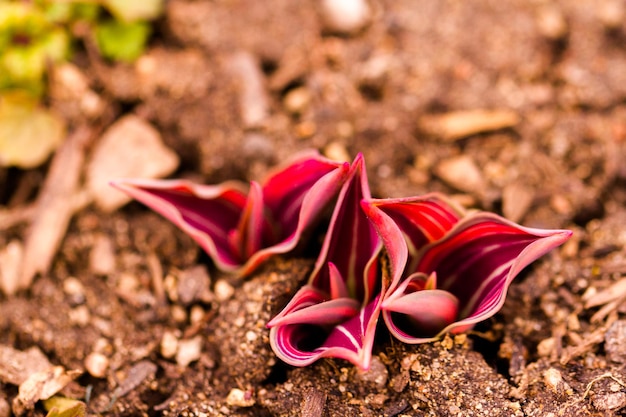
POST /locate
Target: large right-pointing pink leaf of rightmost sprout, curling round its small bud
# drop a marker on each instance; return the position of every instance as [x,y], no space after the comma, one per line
[476,262]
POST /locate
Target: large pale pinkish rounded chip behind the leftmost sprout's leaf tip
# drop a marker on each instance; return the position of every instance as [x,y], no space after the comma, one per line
[130,148]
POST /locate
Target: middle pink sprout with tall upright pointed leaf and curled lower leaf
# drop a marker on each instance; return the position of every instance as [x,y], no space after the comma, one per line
[346,269]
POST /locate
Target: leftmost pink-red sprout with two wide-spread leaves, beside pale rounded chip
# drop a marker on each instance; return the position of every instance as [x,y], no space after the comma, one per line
[238,230]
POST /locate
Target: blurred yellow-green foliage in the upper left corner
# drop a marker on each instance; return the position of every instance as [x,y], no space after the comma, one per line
[37,34]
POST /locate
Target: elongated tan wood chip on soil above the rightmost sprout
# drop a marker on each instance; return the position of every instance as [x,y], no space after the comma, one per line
[460,124]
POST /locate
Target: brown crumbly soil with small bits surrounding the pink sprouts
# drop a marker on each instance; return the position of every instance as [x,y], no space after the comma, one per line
[235,87]
